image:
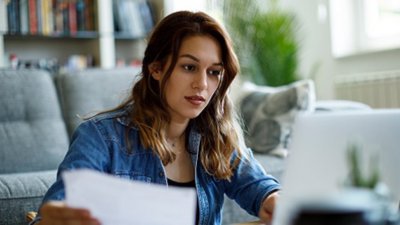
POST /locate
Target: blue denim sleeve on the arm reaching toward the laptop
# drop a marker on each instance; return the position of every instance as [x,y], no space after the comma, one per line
[250,184]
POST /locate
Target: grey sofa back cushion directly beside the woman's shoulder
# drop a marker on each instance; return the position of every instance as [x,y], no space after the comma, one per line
[86,92]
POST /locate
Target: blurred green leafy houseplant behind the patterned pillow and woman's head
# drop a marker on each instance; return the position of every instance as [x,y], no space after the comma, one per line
[265,41]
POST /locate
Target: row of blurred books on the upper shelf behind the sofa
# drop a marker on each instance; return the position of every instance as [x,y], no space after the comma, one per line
[132,18]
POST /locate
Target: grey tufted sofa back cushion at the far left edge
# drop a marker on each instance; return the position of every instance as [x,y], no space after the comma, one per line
[31,123]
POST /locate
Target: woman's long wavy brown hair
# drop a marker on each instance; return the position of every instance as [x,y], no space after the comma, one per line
[217,123]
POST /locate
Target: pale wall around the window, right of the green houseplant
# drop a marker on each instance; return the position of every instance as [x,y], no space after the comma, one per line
[315,53]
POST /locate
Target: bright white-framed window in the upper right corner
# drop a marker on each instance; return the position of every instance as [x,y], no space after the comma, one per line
[361,26]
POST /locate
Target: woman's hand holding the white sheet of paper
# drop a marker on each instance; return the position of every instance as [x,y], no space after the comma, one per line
[57,213]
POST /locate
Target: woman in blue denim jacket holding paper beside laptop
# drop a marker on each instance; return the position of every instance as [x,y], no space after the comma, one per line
[176,128]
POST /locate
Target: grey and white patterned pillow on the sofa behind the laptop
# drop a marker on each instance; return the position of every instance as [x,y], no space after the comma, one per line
[268,114]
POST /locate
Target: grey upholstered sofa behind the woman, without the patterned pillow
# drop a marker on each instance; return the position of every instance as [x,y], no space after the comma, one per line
[39,112]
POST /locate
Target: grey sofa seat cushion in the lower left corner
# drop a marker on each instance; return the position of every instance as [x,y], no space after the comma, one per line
[21,193]
